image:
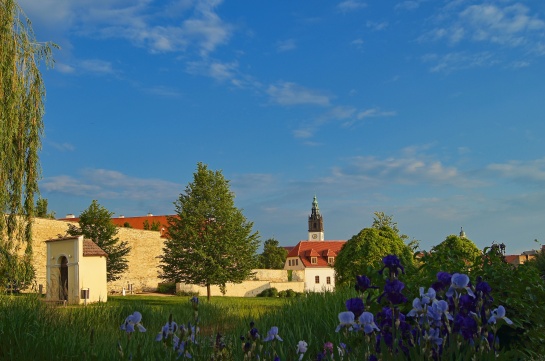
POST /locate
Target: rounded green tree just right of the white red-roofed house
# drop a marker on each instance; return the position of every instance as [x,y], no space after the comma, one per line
[366,249]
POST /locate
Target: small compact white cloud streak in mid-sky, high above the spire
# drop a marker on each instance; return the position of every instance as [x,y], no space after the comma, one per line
[287,93]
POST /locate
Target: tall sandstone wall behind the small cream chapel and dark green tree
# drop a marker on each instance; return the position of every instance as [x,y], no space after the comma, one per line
[143,260]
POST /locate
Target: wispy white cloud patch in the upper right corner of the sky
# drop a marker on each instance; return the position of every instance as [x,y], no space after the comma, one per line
[494,26]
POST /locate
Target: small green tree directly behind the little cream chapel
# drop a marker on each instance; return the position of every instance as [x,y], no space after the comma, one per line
[95,223]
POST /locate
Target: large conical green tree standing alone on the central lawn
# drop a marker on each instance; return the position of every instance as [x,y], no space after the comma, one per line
[210,241]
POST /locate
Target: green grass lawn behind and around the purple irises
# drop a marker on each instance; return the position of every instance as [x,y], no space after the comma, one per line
[31,330]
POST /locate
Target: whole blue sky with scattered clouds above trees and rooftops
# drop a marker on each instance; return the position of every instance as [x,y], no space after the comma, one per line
[430,111]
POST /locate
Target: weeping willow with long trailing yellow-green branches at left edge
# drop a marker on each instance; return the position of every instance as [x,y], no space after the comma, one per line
[22,94]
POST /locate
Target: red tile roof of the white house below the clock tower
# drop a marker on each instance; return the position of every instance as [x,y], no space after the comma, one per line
[319,249]
